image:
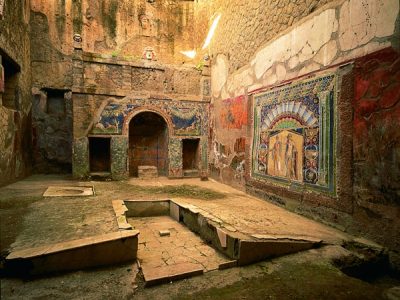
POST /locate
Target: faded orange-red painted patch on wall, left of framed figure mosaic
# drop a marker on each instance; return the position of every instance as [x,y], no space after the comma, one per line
[234,113]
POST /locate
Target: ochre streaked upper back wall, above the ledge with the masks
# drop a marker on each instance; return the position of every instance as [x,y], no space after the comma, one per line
[112,28]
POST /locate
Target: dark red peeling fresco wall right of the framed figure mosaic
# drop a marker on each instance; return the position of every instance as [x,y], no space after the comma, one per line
[376,146]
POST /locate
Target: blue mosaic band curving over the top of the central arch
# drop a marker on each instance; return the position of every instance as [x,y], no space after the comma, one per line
[188,118]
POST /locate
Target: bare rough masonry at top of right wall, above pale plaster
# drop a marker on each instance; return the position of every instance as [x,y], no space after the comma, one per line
[246,25]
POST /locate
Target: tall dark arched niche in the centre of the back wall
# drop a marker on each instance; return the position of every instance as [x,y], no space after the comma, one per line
[148,143]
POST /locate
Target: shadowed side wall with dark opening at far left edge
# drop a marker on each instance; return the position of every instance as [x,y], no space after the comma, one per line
[15,112]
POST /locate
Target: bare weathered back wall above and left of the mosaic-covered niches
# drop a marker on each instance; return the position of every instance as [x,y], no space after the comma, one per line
[108,32]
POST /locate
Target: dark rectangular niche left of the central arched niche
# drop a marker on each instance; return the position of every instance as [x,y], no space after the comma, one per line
[99,153]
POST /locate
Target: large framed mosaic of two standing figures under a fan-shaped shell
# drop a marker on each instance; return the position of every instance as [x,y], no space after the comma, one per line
[294,133]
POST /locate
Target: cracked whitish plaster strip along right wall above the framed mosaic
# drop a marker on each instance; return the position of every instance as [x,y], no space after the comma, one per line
[338,32]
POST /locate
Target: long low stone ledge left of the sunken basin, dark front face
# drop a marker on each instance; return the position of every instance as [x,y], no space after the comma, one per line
[106,249]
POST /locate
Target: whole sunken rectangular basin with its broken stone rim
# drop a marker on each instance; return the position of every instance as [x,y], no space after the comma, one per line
[178,240]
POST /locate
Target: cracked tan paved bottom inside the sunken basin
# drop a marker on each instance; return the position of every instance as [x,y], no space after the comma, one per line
[182,249]
